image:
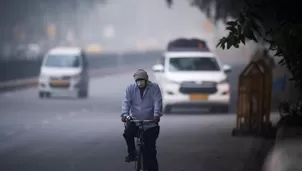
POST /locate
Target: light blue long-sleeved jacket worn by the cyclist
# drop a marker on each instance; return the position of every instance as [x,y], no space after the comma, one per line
[144,108]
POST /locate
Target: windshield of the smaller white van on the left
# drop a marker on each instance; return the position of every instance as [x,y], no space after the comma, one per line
[62,61]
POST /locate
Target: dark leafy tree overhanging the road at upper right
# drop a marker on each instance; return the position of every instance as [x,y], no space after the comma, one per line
[275,22]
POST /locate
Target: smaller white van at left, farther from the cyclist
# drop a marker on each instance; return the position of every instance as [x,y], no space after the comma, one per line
[64,71]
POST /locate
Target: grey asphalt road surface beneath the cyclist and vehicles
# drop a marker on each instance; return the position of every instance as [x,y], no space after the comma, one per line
[68,134]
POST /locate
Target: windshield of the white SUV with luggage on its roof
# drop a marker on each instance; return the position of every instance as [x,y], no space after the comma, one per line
[193,64]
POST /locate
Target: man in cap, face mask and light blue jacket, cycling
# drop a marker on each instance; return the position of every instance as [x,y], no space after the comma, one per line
[143,98]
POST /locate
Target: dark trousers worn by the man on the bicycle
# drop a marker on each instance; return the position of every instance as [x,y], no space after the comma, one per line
[150,137]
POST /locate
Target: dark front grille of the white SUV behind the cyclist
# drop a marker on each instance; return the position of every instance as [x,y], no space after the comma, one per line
[205,87]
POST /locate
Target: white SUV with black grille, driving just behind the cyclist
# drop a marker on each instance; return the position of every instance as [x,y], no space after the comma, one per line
[193,78]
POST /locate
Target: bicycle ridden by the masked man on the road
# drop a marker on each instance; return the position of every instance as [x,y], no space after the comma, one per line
[139,162]
